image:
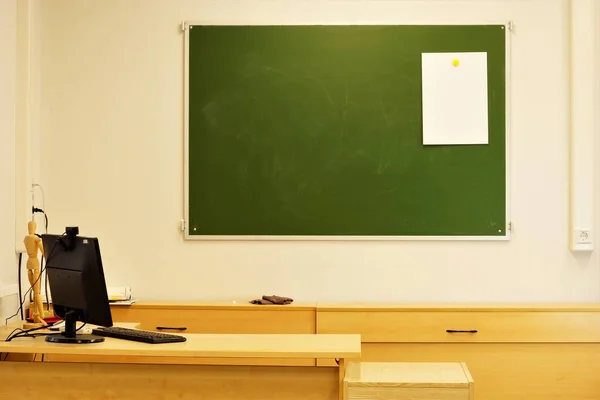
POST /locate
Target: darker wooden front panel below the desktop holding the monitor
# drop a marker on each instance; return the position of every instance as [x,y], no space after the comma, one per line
[58,381]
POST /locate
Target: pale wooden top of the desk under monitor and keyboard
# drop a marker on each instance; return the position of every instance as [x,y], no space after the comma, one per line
[203,345]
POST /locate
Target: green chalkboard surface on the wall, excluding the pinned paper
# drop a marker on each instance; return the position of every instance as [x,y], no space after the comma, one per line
[317,130]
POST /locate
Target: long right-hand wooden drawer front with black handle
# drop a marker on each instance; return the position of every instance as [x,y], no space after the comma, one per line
[463,326]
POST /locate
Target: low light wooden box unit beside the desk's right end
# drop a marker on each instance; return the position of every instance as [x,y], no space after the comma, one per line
[410,380]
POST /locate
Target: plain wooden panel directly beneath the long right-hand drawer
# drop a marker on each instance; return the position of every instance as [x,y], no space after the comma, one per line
[508,371]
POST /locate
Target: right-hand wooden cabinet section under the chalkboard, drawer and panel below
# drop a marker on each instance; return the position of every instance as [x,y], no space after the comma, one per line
[513,351]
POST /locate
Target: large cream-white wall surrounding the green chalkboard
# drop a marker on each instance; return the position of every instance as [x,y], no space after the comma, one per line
[111,123]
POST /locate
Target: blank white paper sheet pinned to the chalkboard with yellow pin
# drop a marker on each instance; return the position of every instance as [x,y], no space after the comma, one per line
[455,106]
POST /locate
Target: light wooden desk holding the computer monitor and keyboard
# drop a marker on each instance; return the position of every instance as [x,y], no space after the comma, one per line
[95,381]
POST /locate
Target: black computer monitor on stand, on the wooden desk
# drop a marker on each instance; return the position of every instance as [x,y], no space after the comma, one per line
[77,284]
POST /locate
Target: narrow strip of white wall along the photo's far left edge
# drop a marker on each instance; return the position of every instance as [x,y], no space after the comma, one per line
[8,61]
